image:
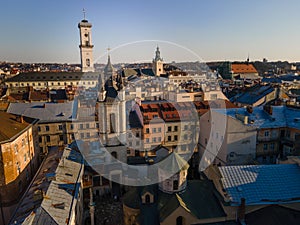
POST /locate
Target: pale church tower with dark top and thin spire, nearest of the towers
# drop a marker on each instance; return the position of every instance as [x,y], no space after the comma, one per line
[111,108]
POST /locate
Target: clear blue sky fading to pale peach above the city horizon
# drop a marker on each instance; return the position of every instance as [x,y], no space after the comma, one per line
[46,31]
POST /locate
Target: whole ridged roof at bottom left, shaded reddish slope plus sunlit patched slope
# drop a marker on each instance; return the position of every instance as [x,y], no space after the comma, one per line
[61,194]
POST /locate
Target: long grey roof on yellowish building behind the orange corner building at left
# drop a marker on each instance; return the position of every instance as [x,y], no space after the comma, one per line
[45,112]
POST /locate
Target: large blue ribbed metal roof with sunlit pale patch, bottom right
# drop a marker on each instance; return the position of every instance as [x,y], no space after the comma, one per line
[262,184]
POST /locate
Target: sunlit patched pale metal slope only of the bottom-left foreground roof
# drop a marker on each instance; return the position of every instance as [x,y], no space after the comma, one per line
[62,193]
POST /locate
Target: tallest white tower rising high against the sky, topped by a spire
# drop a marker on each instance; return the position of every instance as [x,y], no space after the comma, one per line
[86,46]
